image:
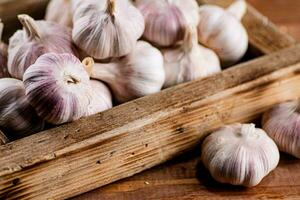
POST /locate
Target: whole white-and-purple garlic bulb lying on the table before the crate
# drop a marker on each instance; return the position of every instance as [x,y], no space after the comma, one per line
[239,154]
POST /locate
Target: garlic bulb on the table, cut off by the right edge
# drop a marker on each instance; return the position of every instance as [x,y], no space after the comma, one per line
[282,123]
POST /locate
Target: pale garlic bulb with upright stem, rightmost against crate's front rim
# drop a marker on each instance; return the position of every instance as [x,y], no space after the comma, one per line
[189,61]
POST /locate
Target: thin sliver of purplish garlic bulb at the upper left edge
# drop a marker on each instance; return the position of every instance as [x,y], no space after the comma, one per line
[3,55]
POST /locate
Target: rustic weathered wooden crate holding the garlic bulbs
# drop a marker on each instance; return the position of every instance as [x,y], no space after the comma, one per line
[130,138]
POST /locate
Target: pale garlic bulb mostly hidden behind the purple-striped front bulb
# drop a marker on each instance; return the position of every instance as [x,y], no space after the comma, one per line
[101,98]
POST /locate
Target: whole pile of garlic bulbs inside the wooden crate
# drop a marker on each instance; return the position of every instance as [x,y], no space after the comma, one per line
[84,60]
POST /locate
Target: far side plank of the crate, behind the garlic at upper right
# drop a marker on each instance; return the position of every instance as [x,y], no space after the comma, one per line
[263,34]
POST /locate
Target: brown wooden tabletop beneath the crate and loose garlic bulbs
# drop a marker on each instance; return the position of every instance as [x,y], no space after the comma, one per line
[185,178]
